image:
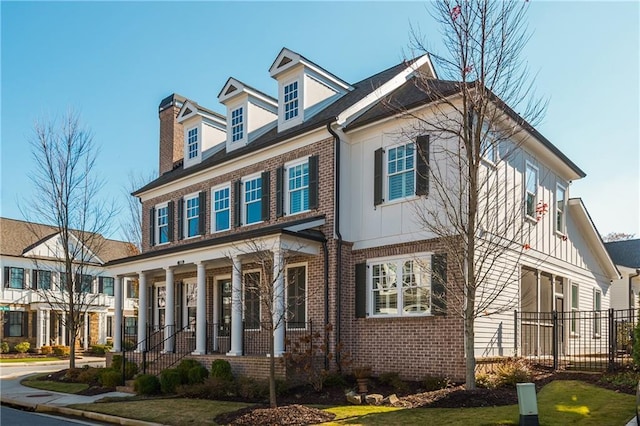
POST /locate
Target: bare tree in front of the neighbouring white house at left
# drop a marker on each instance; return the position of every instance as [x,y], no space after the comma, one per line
[66,198]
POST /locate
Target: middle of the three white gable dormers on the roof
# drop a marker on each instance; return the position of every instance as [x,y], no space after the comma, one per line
[248,112]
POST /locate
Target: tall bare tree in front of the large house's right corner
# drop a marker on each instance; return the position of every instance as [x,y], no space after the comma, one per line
[474,128]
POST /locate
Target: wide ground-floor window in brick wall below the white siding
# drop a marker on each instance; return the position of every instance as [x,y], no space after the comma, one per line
[400,287]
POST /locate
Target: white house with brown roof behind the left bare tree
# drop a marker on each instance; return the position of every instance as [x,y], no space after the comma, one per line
[29,268]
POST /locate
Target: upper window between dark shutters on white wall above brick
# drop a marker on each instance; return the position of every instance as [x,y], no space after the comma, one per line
[401,171]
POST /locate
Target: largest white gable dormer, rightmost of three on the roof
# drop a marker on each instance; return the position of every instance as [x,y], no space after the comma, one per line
[303,88]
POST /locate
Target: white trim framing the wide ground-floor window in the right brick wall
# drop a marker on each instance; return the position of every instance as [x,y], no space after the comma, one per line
[419,259]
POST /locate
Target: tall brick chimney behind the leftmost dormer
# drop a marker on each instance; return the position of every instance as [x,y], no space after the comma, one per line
[171,133]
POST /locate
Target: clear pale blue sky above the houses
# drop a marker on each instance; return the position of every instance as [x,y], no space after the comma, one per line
[113,62]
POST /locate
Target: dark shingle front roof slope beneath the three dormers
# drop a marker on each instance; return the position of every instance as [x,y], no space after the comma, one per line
[327,115]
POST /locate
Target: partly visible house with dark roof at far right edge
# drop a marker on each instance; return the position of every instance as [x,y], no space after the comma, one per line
[626,290]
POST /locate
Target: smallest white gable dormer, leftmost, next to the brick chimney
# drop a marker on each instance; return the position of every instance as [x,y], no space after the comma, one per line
[203,129]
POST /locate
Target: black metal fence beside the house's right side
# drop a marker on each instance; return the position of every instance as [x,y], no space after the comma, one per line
[576,340]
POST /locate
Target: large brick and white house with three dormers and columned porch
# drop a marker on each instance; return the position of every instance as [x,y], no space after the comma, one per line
[323,177]
